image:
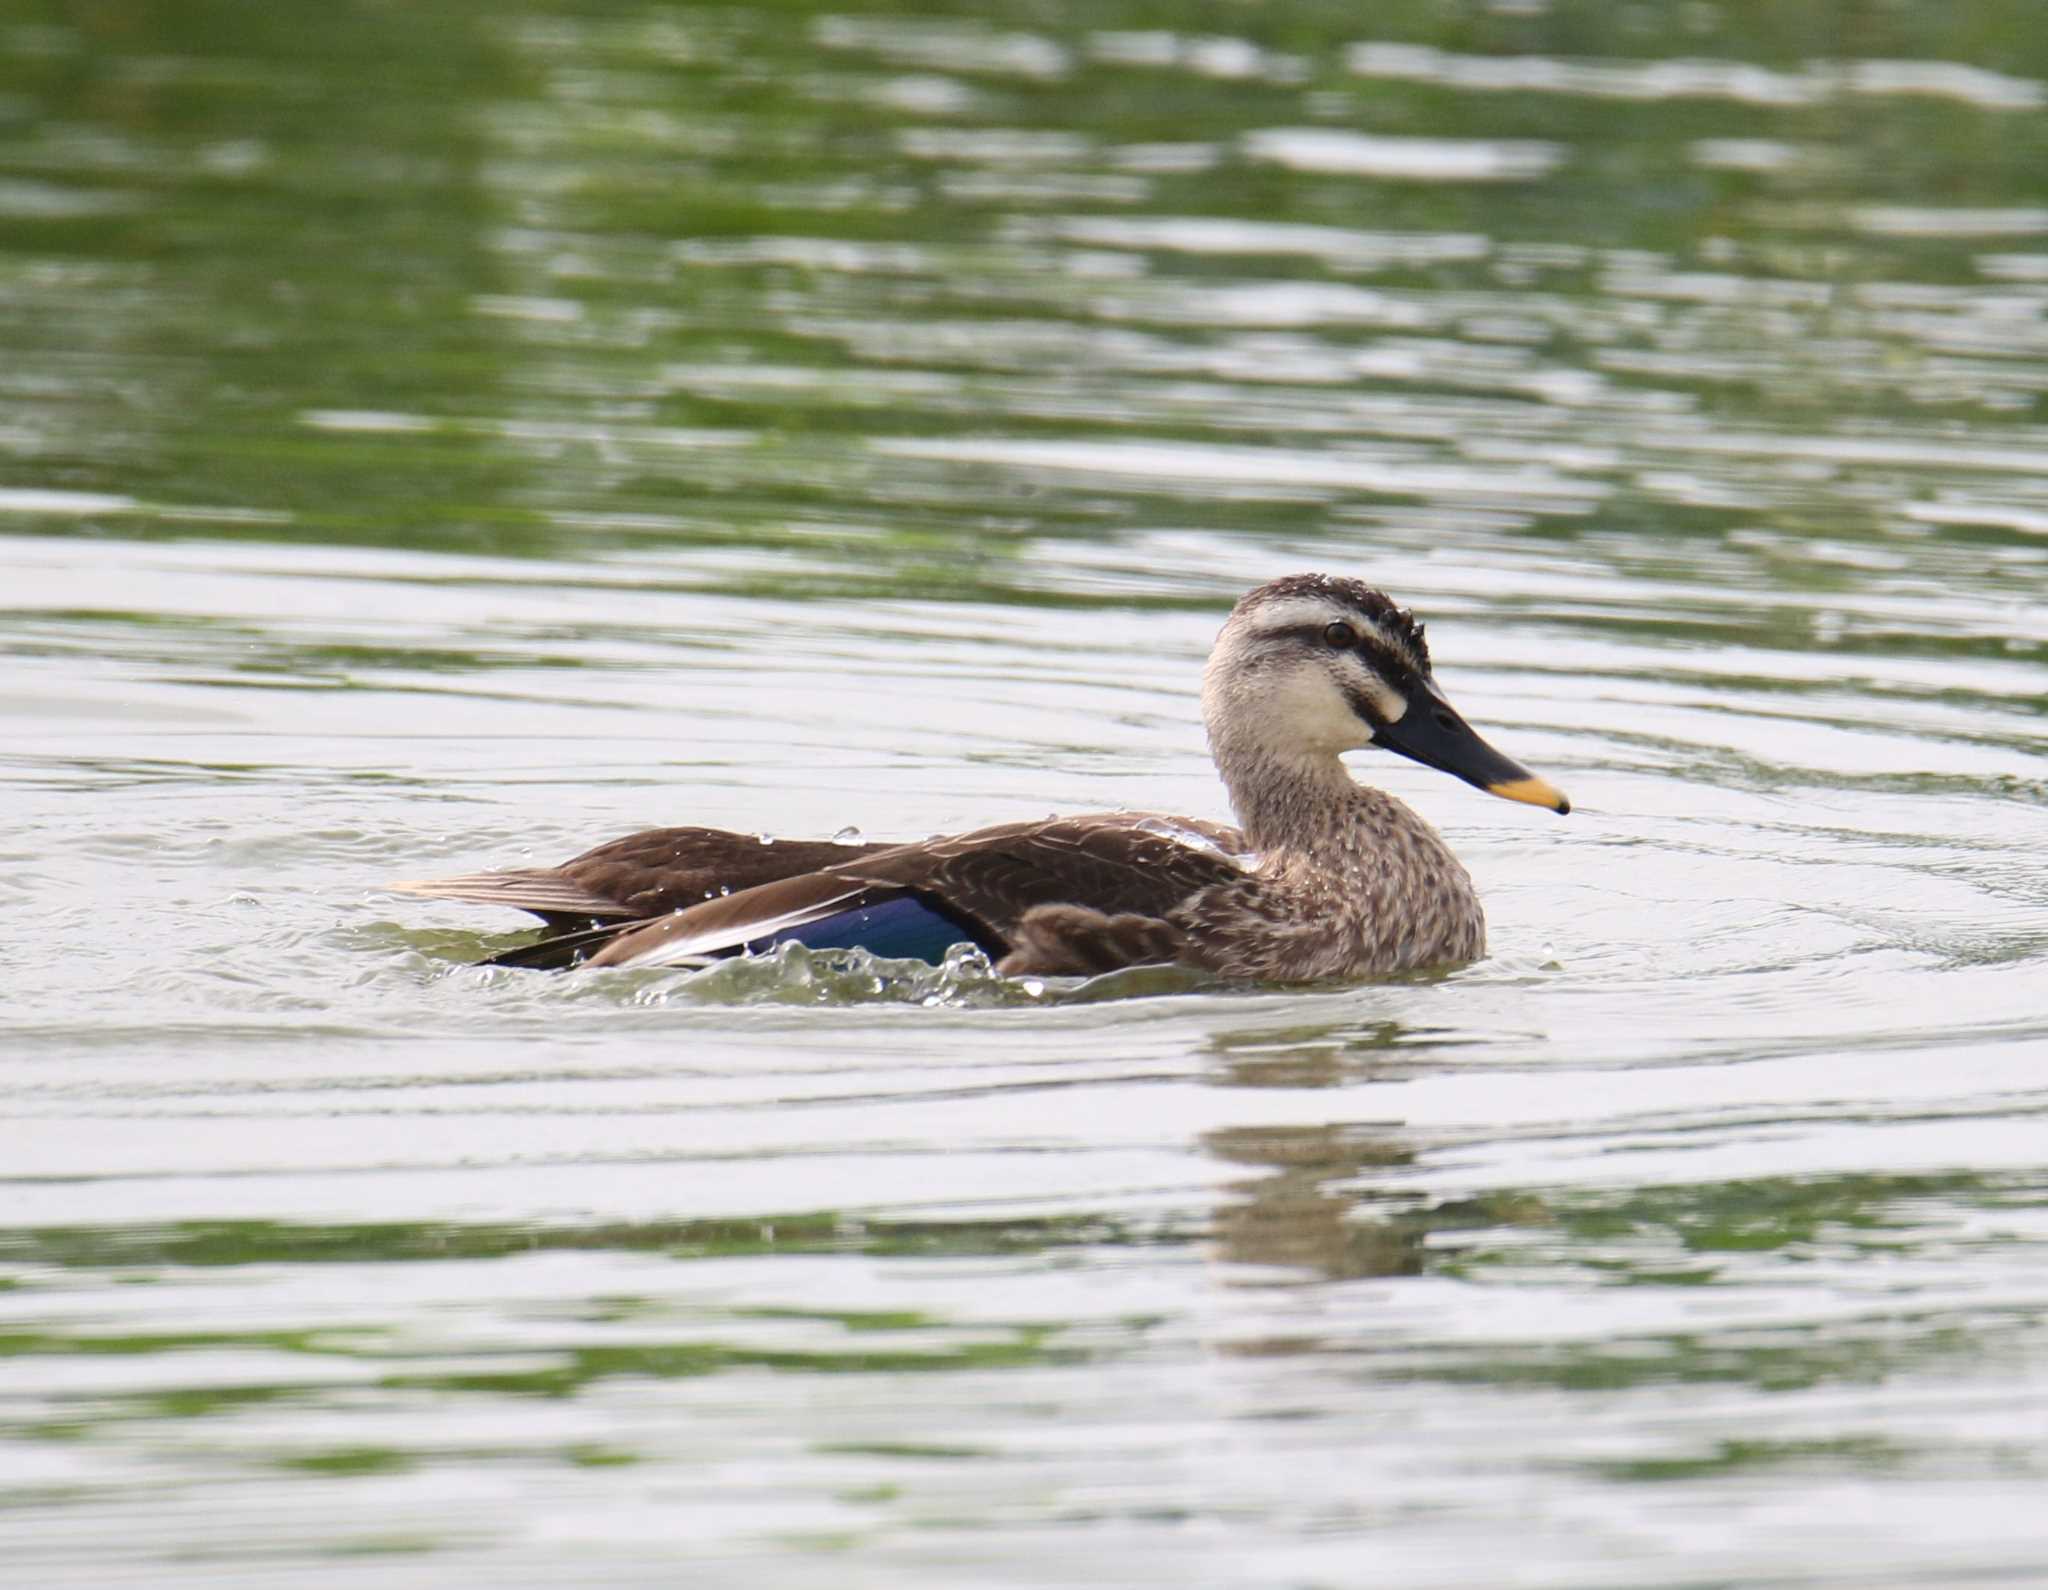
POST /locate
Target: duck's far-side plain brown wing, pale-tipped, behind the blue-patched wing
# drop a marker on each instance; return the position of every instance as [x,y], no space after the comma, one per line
[642,876]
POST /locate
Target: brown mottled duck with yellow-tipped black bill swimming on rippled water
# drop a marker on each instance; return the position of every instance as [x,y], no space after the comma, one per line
[1322,876]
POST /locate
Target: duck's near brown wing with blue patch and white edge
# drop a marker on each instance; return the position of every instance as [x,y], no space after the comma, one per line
[1123,870]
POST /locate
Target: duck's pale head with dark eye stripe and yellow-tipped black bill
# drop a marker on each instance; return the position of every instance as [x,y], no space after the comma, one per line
[1318,665]
